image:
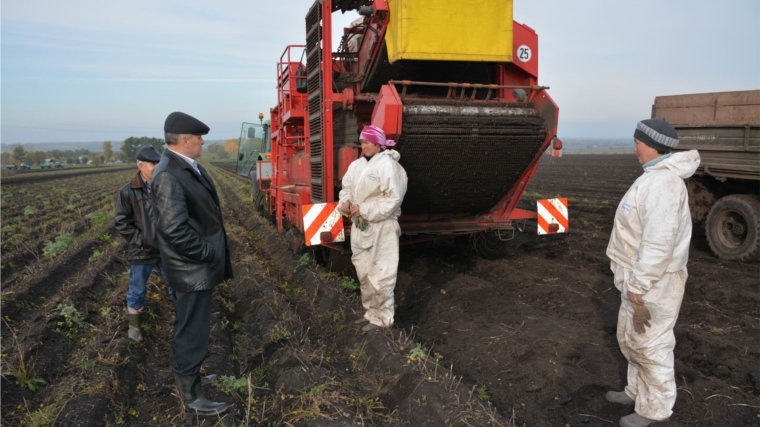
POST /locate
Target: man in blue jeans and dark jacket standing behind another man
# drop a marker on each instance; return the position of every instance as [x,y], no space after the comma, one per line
[133,219]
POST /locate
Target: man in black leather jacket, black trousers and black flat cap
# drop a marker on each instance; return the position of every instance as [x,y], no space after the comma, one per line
[194,251]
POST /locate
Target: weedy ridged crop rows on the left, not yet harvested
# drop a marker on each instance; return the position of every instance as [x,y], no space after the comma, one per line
[283,339]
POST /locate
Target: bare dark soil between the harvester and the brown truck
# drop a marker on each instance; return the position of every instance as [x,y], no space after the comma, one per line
[538,327]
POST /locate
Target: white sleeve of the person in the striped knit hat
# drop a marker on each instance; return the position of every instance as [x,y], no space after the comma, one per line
[659,223]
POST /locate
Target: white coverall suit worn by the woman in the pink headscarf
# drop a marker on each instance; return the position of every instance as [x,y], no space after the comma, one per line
[378,187]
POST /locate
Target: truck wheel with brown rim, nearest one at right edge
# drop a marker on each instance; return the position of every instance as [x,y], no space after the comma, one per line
[733,228]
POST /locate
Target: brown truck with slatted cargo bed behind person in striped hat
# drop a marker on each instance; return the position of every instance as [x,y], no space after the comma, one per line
[725,191]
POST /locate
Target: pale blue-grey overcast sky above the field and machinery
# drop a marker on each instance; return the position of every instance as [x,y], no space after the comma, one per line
[98,70]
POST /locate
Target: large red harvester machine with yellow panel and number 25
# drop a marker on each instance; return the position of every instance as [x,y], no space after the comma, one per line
[454,83]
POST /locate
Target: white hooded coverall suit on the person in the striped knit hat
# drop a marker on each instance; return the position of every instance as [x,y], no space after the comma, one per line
[648,249]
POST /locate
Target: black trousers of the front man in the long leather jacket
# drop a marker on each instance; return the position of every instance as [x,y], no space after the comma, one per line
[191,331]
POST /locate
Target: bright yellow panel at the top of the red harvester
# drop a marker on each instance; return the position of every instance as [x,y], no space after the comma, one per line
[450,30]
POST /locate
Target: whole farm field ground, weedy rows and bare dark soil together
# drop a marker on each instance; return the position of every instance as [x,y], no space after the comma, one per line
[526,340]
